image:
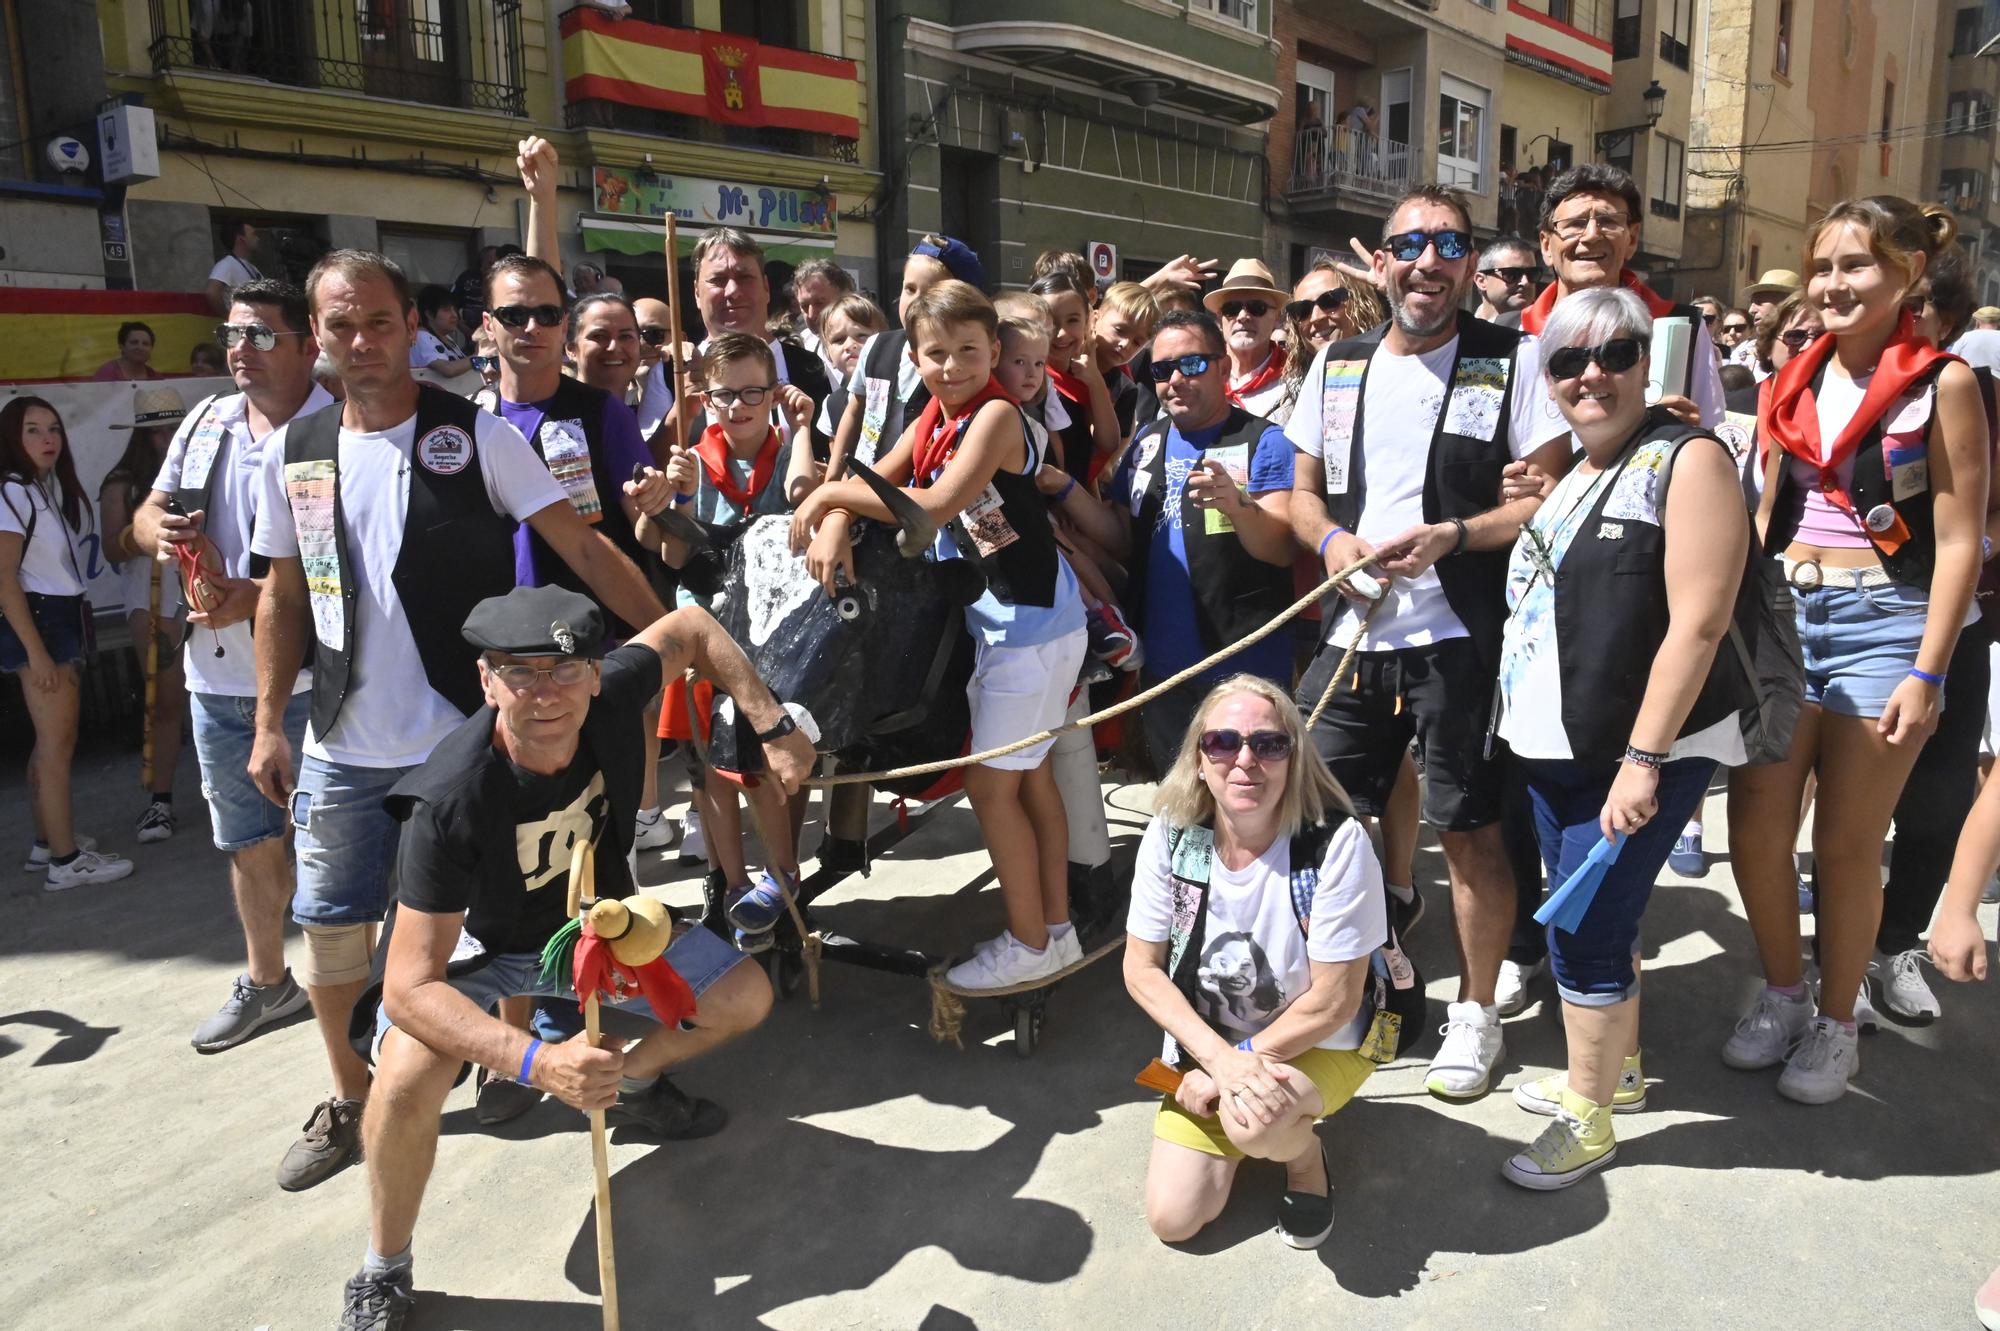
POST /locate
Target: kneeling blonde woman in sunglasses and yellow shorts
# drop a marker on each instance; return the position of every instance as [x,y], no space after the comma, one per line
[1257,986]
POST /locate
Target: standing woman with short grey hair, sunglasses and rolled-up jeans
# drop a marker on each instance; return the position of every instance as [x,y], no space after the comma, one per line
[1611,692]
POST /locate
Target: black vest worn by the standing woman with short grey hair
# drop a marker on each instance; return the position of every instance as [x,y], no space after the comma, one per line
[1611,621]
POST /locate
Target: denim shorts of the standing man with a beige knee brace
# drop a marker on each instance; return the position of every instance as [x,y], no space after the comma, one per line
[347,842]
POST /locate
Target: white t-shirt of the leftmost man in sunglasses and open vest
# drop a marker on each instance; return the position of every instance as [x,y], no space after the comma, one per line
[231,519]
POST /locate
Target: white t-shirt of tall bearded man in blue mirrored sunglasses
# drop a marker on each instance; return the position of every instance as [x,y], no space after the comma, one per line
[1401,407]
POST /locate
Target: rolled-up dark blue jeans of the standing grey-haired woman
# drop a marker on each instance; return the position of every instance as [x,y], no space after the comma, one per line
[1595,966]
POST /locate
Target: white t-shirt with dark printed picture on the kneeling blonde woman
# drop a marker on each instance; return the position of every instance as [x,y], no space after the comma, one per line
[1255,956]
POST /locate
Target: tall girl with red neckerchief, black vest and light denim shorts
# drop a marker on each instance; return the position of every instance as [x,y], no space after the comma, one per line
[1875,459]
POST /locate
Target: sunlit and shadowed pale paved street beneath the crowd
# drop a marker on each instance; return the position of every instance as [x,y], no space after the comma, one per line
[875,1180]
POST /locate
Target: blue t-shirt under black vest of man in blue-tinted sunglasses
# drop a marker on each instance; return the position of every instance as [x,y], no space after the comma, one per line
[1171,637]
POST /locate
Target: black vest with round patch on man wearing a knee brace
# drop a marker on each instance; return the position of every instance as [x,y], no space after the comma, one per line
[455,553]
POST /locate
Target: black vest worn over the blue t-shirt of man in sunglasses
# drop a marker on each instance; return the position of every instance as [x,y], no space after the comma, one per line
[1235,593]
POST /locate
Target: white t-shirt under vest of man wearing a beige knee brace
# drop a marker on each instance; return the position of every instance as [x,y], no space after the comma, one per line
[391,718]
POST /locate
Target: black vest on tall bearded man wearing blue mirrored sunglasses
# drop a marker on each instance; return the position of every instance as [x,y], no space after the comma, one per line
[1463,479]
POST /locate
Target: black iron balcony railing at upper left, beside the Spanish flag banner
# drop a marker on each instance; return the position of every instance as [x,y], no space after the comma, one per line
[445,53]
